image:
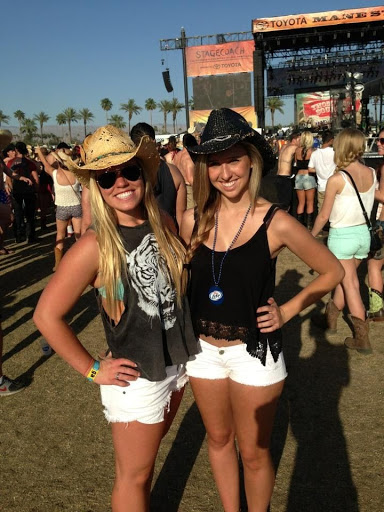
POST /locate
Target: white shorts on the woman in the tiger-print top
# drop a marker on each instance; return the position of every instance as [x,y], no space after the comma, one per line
[142,400]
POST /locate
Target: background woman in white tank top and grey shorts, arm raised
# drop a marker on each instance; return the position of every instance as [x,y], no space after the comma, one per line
[67,197]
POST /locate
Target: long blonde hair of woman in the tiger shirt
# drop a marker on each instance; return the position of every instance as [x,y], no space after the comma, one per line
[112,258]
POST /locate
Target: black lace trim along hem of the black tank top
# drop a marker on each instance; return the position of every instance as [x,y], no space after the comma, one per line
[256,341]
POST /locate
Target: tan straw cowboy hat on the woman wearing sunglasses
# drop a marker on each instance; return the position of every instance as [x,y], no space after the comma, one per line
[110,147]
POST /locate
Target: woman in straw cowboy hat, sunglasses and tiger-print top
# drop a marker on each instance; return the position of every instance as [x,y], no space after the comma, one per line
[134,260]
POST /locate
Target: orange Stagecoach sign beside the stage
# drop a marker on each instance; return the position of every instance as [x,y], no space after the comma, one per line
[220,59]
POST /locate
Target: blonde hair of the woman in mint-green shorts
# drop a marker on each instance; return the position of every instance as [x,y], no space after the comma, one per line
[349,145]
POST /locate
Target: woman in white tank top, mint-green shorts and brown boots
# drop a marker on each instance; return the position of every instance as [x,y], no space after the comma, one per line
[349,238]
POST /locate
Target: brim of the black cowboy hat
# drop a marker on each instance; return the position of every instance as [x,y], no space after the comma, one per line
[222,143]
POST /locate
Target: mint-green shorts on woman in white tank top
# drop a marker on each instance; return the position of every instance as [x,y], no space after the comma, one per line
[348,243]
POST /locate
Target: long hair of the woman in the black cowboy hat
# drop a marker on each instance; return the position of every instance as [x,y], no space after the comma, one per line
[208,198]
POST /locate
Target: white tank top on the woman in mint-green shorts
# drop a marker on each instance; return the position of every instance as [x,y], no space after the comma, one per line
[346,211]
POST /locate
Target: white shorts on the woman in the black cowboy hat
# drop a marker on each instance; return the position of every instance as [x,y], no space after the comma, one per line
[235,363]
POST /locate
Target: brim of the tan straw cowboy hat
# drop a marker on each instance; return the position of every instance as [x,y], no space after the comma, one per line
[146,152]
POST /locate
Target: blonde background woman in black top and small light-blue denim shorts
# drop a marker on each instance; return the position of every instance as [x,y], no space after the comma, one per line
[305,182]
